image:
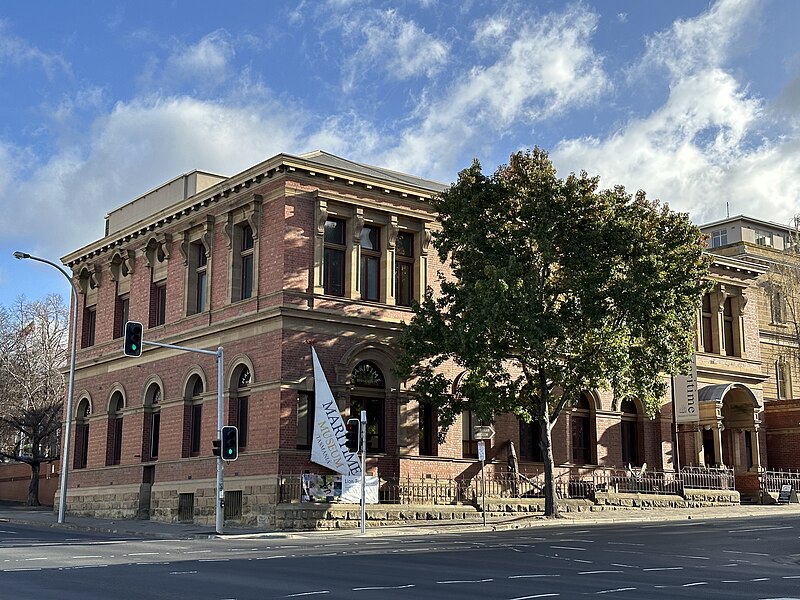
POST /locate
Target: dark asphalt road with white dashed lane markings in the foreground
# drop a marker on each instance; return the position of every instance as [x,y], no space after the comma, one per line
[732,559]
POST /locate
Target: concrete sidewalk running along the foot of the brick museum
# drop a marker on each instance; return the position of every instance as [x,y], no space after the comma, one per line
[45,517]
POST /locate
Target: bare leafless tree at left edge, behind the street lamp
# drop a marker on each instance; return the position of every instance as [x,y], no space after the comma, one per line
[33,350]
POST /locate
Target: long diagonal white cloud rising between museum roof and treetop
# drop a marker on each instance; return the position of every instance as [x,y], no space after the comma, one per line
[545,69]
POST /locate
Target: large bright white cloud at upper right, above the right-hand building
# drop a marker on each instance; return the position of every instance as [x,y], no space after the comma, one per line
[706,145]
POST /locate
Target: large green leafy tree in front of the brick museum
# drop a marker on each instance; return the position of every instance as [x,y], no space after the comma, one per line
[557,286]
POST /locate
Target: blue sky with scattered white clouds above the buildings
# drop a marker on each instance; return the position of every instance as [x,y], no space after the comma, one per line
[100,101]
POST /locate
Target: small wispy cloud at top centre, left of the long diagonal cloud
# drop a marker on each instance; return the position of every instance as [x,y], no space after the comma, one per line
[391,45]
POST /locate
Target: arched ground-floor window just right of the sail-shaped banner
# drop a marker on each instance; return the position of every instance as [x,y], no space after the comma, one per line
[369,393]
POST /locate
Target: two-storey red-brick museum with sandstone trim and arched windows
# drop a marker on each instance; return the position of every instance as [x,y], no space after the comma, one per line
[318,247]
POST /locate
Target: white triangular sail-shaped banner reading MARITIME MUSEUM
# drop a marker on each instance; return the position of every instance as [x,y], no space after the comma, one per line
[328,444]
